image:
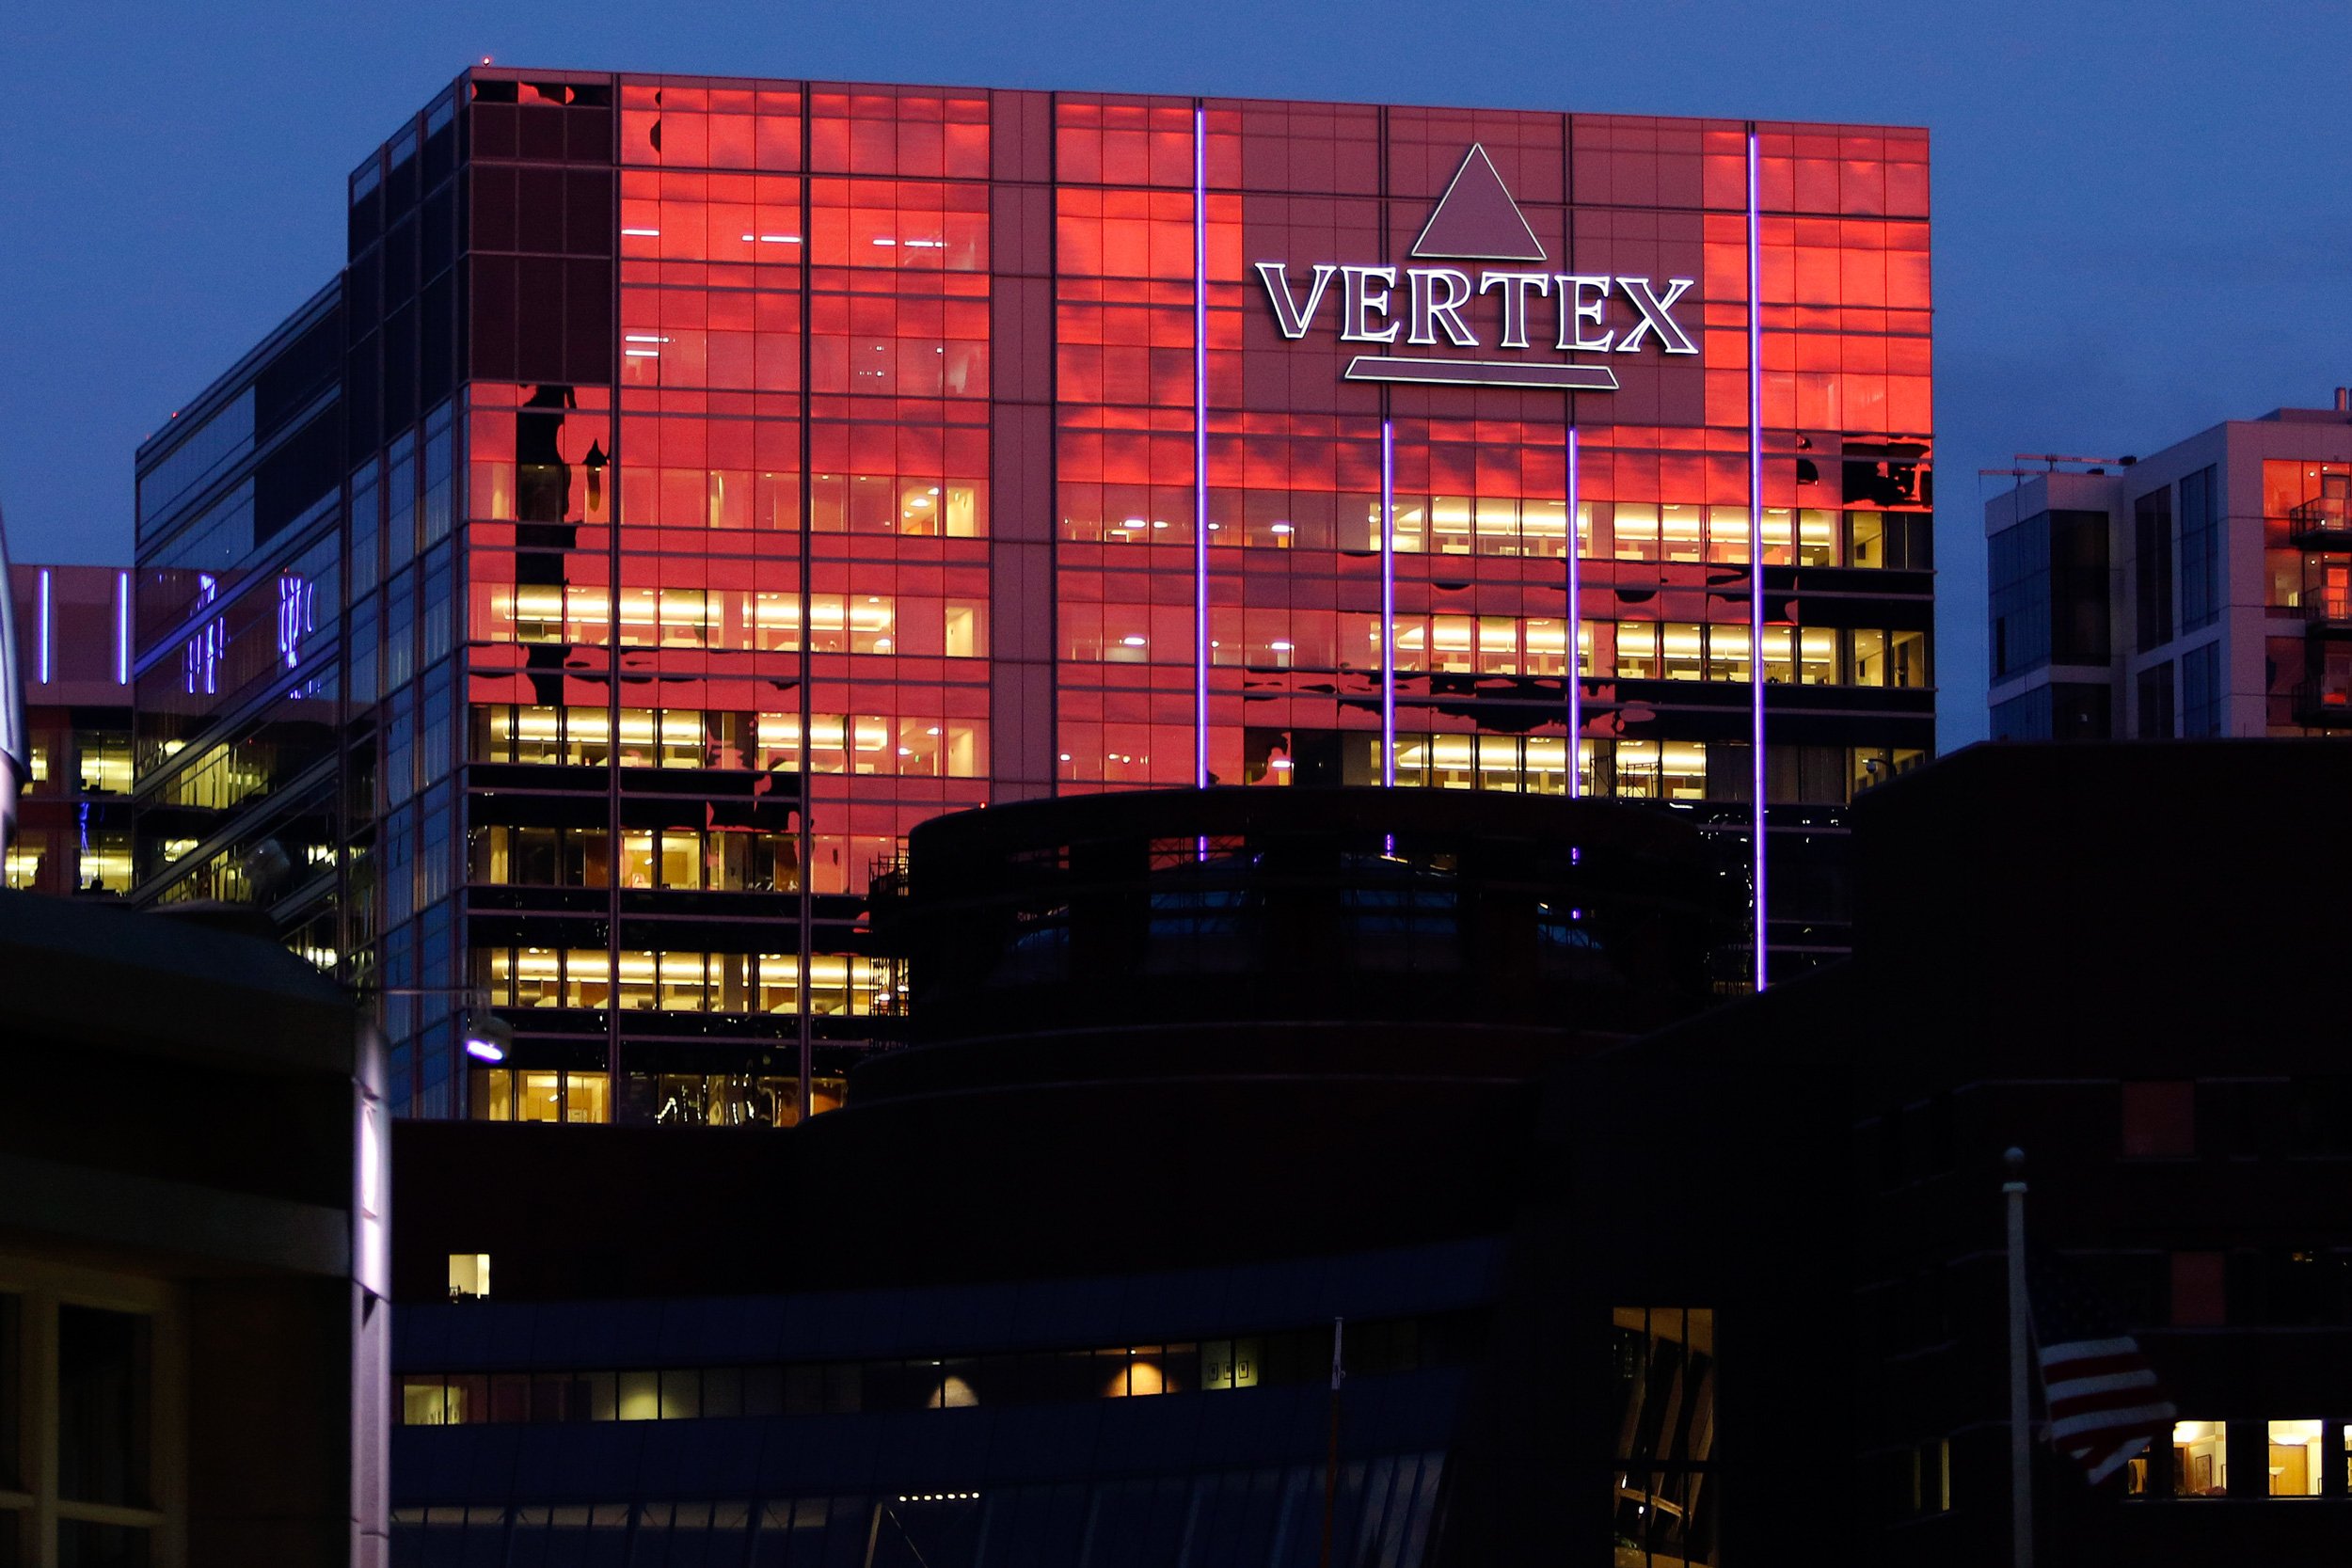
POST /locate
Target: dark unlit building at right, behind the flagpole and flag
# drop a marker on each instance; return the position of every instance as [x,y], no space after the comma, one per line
[2078,951]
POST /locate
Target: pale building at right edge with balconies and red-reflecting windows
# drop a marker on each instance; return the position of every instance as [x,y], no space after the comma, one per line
[2200,591]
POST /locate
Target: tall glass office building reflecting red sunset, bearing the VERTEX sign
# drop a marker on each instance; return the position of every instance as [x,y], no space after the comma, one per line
[733,474]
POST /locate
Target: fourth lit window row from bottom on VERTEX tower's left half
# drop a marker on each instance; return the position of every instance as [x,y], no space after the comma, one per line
[693,739]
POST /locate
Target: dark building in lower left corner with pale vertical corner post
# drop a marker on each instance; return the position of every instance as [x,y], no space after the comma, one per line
[192,1249]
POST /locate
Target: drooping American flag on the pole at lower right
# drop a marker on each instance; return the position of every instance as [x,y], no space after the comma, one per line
[2104,1398]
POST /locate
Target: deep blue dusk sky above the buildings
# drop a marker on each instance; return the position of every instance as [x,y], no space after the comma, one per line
[2141,210]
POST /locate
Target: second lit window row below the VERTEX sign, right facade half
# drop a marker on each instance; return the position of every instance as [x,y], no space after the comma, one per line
[1497,645]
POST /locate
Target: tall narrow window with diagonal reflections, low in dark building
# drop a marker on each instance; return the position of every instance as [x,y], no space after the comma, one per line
[1664,1485]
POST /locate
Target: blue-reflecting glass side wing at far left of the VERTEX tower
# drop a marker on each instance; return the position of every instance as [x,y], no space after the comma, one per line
[232,643]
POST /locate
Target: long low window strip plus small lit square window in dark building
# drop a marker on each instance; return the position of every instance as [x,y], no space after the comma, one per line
[926,1383]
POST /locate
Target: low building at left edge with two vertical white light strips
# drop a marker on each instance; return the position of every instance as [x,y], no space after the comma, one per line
[74,831]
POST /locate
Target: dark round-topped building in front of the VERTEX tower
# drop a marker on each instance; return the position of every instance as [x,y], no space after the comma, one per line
[1201,1076]
